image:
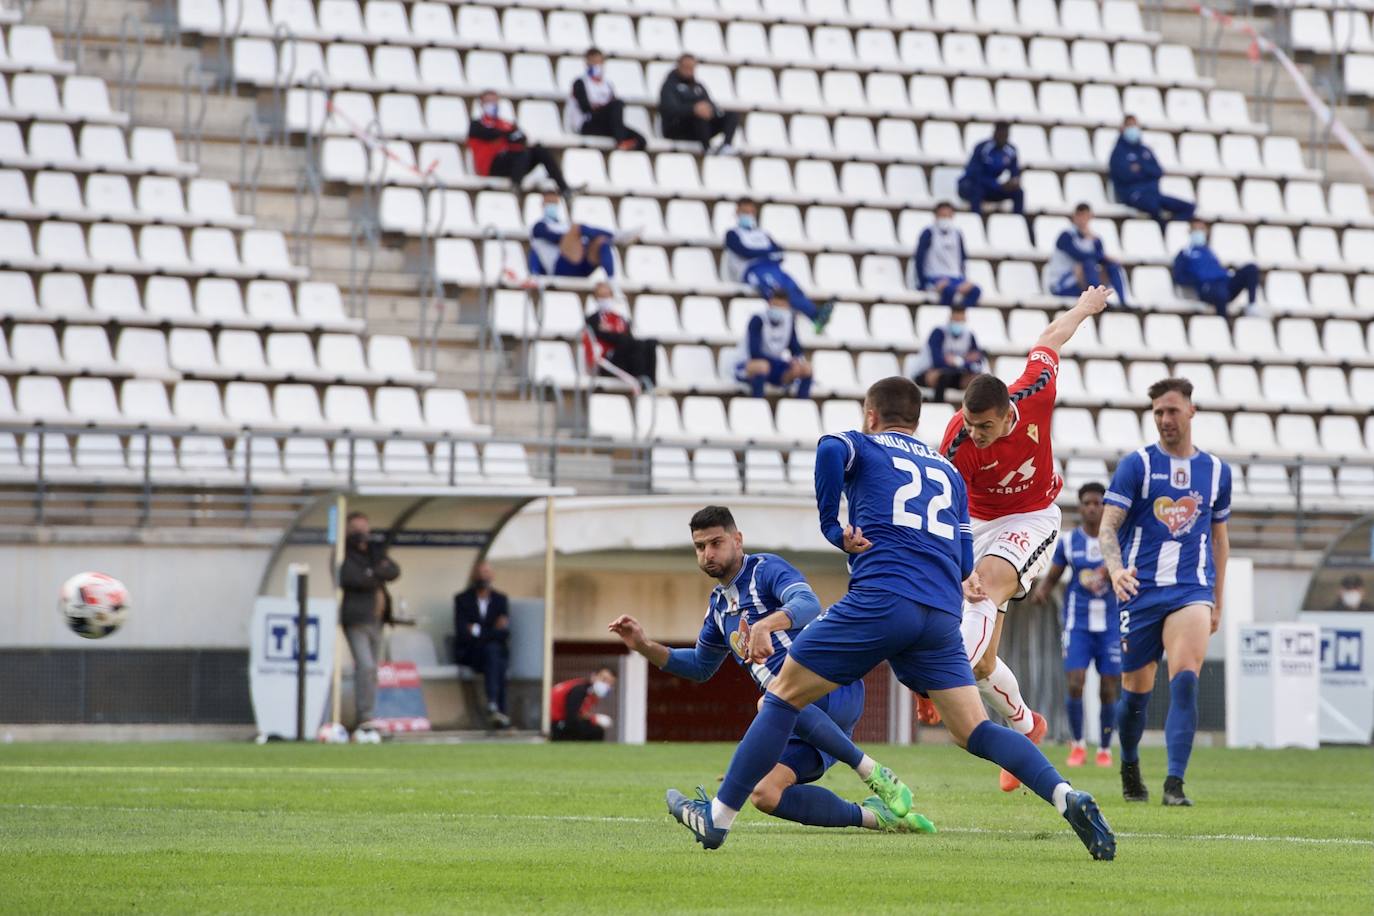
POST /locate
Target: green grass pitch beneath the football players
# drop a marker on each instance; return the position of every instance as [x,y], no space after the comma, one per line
[477,829]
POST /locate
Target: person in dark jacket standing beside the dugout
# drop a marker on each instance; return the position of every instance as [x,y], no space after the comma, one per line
[363,577]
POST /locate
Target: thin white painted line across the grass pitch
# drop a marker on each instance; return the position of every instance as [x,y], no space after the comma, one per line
[612,819]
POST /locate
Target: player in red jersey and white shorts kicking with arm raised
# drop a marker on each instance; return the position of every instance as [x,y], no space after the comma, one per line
[1000,442]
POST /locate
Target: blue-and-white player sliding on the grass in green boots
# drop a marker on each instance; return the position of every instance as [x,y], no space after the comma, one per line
[759,606]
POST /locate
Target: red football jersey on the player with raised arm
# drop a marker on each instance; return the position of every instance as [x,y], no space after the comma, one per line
[1015,474]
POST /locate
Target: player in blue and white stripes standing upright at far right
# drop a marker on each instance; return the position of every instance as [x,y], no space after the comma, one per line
[1164,543]
